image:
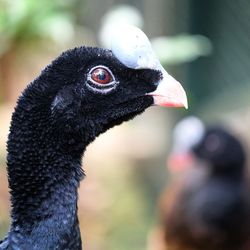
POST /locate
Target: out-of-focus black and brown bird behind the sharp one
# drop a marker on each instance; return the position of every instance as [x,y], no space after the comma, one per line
[208,207]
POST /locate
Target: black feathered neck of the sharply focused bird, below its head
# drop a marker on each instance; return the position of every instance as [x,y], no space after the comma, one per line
[43,179]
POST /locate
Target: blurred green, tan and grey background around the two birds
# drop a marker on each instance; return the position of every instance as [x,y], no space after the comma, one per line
[204,44]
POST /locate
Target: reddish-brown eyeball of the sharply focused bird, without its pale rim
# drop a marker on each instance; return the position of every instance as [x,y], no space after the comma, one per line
[101,75]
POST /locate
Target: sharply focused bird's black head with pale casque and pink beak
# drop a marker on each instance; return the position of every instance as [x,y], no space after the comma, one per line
[95,89]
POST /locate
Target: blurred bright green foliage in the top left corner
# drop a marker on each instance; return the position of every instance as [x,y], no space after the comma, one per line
[23,21]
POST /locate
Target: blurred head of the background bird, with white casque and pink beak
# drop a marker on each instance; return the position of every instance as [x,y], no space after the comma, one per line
[214,145]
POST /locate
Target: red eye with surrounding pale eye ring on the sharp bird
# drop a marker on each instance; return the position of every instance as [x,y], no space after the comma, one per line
[101,79]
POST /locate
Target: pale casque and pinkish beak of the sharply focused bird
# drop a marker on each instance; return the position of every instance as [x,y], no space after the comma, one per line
[132,48]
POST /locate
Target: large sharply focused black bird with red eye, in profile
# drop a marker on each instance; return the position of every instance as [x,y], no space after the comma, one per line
[80,95]
